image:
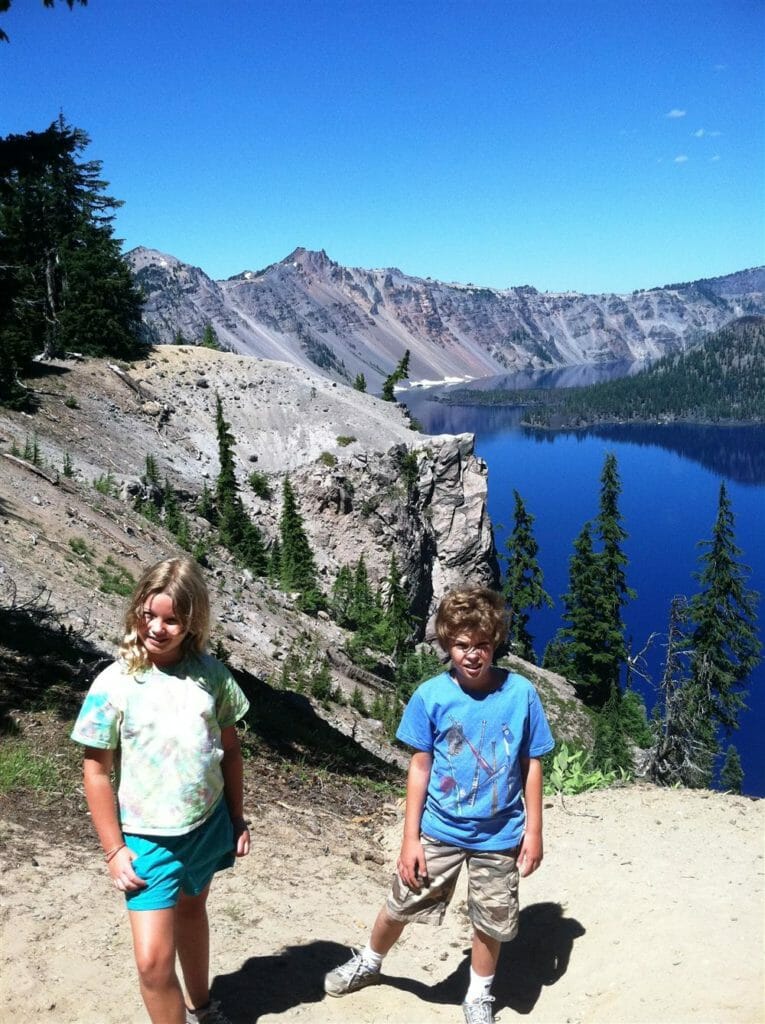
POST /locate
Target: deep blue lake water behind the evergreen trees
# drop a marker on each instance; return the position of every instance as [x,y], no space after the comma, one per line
[671,481]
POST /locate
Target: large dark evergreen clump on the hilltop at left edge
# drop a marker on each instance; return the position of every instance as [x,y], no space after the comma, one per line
[63,280]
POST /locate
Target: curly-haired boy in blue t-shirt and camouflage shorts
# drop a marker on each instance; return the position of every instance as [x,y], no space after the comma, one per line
[474,795]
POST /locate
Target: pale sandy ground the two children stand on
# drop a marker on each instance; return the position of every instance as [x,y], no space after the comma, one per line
[649,909]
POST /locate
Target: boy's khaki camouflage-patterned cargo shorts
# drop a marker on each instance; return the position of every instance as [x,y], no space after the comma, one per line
[493,889]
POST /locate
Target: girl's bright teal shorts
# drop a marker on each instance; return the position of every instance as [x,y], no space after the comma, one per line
[174,864]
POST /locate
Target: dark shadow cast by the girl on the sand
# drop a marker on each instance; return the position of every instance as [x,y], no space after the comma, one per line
[276,984]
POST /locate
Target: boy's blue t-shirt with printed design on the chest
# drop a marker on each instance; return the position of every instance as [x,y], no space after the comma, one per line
[475,797]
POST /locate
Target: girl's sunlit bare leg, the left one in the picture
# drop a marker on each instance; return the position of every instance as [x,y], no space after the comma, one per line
[154,945]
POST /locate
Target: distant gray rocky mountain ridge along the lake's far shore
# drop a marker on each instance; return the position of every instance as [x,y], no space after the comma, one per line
[339,321]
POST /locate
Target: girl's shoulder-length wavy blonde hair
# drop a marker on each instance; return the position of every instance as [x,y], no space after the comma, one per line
[182,580]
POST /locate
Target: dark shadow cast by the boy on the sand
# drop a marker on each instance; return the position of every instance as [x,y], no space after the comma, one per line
[537,958]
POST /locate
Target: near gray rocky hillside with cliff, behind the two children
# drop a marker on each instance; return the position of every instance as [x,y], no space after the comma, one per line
[366,483]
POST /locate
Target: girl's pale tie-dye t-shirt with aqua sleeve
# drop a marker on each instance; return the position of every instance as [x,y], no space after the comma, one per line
[166,724]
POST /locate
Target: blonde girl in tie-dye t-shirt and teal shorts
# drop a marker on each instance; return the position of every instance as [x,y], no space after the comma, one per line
[171,711]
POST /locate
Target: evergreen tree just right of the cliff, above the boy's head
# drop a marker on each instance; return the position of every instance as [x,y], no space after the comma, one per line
[524,583]
